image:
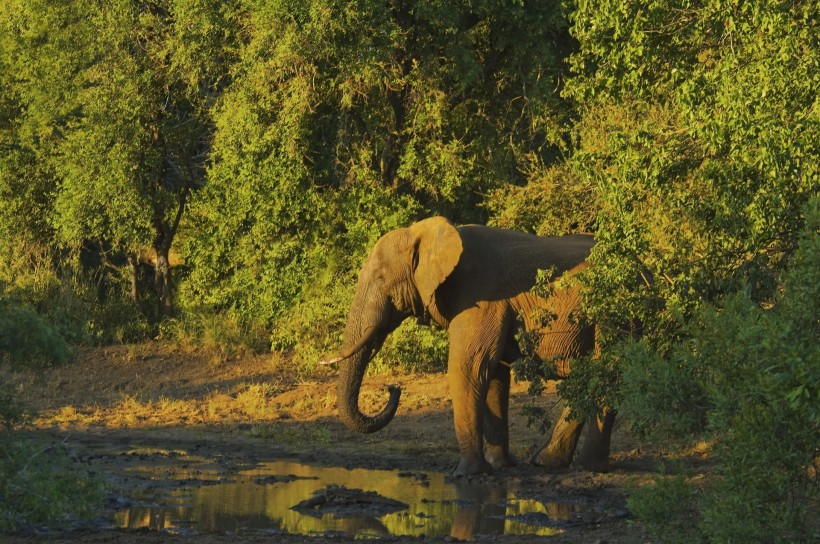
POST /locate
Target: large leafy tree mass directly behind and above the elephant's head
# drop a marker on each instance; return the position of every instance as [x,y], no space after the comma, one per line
[346,119]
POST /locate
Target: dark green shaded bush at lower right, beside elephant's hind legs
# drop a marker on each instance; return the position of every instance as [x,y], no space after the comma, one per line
[748,377]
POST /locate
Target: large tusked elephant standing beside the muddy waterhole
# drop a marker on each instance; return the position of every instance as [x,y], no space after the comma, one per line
[475,282]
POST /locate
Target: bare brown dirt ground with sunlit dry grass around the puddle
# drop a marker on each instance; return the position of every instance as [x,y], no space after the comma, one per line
[250,409]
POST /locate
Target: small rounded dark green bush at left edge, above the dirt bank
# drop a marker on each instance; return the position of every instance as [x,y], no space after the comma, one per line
[28,339]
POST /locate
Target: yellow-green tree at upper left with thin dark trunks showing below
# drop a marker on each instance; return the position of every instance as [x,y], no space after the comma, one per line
[127,141]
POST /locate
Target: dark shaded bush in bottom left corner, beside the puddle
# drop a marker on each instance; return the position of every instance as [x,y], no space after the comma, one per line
[42,486]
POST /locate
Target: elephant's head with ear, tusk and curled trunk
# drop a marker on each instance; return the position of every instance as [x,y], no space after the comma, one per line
[398,280]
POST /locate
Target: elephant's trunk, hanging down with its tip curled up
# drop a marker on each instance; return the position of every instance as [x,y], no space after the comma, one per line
[364,341]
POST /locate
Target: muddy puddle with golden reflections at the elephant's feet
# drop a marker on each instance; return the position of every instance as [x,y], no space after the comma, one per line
[261,500]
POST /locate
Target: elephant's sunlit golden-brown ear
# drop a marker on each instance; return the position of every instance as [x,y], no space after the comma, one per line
[437,252]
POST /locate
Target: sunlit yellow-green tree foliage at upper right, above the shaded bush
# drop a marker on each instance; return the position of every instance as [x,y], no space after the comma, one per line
[699,134]
